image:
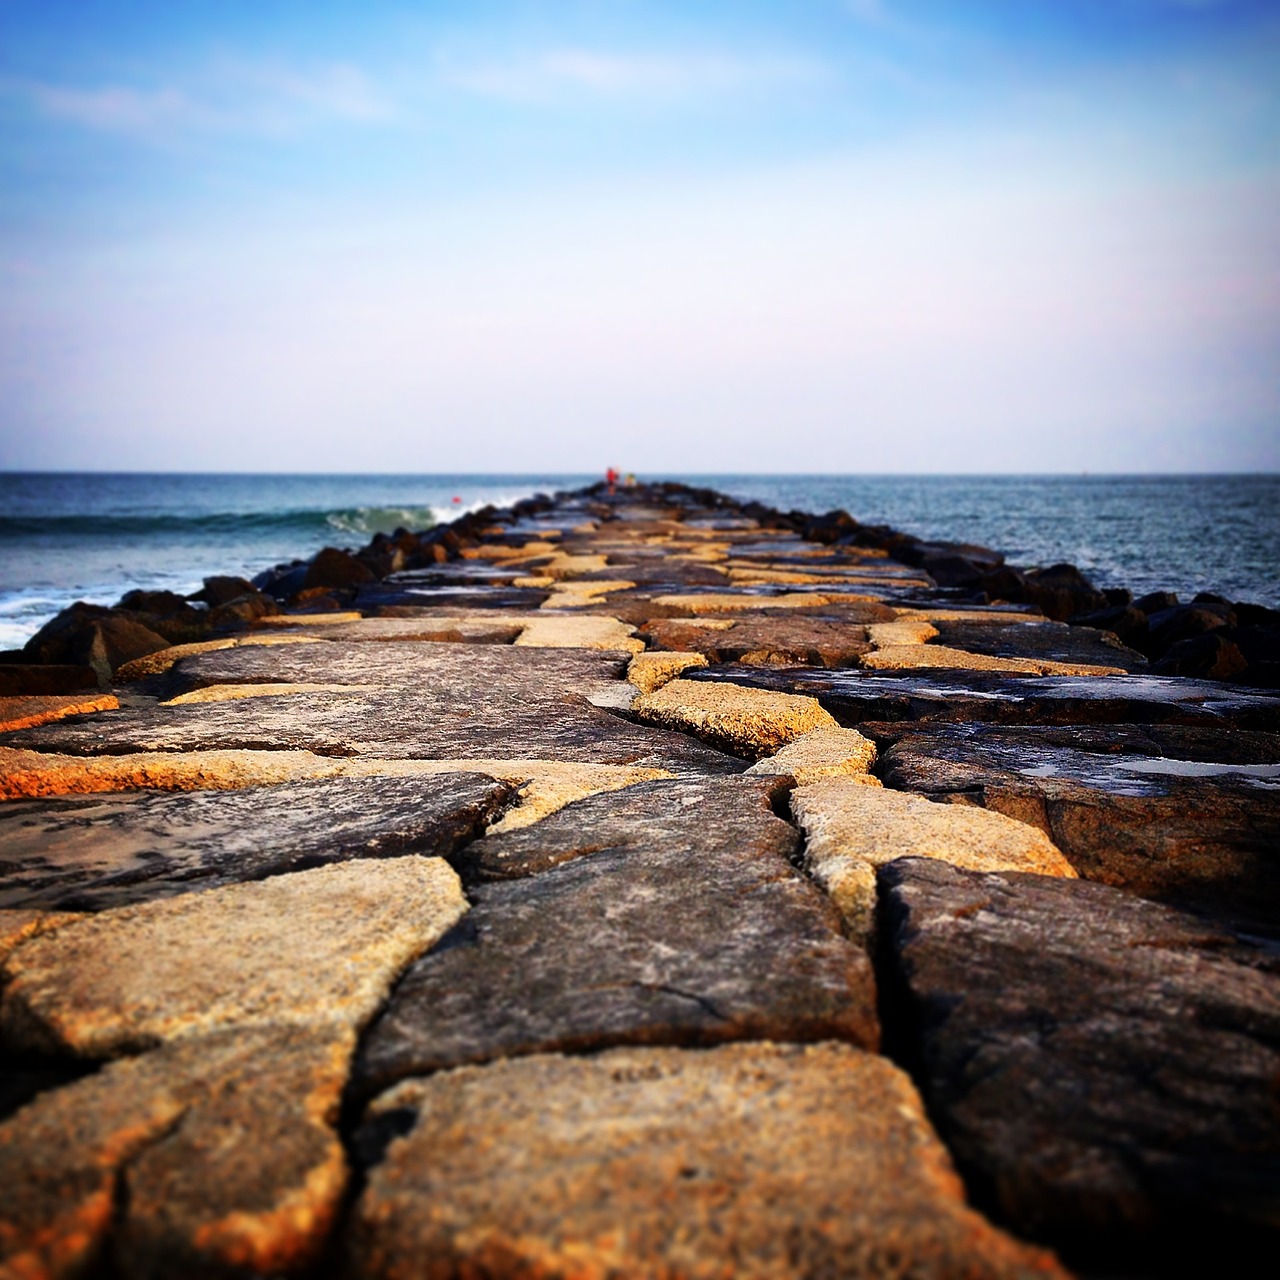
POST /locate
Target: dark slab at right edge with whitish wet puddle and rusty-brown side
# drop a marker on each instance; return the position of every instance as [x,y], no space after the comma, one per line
[1186,815]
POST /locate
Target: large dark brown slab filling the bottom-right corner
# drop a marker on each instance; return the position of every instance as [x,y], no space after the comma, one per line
[1103,1067]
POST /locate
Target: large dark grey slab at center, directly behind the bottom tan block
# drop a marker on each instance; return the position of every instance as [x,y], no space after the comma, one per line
[669,915]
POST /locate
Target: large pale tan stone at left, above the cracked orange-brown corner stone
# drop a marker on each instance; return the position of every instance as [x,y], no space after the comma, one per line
[319,948]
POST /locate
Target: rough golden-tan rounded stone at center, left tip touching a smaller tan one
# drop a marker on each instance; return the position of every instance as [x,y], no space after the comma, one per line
[747,721]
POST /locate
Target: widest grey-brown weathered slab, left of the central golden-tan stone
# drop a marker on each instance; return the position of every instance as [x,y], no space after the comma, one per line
[396,701]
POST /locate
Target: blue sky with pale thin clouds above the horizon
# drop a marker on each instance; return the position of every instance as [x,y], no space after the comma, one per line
[847,236]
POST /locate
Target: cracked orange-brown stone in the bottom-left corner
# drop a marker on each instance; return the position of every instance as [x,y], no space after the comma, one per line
[202,1158]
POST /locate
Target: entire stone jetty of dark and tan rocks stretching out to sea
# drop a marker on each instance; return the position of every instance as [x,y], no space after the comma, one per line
[642,884]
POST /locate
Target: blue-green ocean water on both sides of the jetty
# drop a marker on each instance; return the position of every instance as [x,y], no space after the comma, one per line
[67,537]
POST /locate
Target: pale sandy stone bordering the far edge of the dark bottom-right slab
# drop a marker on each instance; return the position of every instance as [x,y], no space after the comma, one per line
[879,826]
